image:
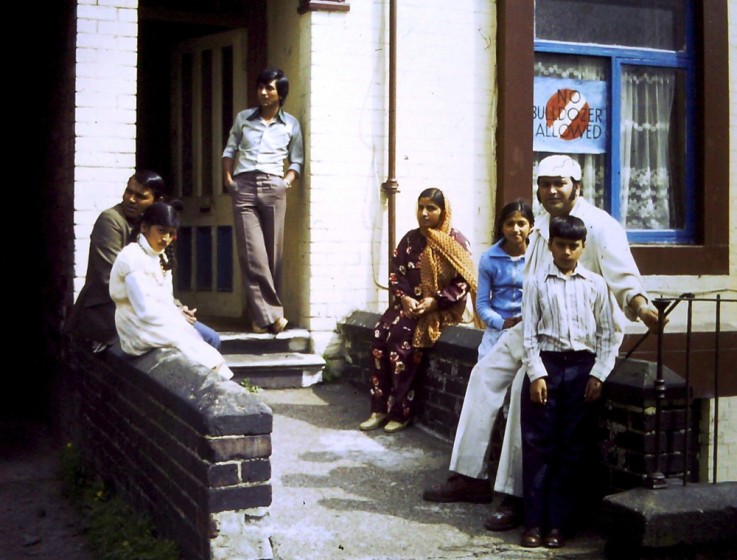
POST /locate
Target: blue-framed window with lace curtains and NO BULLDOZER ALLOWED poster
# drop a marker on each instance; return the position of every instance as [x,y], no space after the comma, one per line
[613,87]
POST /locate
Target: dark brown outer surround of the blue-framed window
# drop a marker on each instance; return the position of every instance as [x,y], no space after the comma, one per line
[709,254]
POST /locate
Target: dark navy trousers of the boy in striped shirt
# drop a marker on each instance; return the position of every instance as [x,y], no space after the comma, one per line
[554,440]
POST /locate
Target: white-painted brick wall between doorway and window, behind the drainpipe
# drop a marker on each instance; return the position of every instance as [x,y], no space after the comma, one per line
[445,93]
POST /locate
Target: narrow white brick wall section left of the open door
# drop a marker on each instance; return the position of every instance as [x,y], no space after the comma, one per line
[105,114]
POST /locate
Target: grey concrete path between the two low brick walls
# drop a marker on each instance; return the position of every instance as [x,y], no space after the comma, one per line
[343,494]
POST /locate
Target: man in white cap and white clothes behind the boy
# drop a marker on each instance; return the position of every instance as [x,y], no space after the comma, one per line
[608,254]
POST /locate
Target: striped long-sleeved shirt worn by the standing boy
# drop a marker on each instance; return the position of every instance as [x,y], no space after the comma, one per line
[564,313]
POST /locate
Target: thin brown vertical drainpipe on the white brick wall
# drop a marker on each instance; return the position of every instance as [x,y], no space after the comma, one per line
[391,186]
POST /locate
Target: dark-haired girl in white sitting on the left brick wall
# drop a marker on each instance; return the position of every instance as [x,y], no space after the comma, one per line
[146,315]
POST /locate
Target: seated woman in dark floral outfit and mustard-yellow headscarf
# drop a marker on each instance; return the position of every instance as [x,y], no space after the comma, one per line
[431,277]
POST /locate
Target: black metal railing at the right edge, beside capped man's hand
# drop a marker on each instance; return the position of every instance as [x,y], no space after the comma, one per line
[656,479]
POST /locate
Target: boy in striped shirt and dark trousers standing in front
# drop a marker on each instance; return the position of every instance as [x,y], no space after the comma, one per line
[570,348]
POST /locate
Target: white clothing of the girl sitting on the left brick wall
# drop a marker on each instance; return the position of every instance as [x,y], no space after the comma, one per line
[146,315]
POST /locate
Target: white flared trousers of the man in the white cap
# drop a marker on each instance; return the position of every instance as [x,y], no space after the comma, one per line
[487,388]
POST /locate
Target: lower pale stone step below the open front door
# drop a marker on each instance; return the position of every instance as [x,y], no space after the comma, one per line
[277,370]
